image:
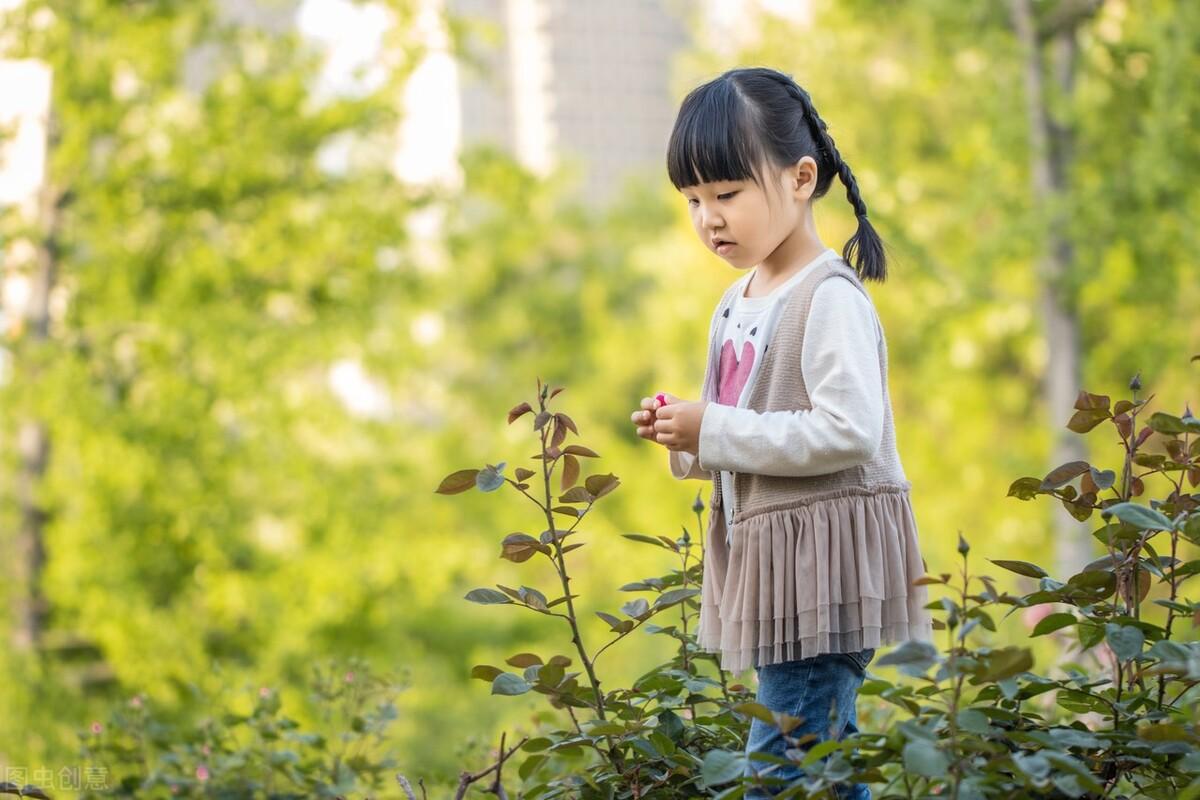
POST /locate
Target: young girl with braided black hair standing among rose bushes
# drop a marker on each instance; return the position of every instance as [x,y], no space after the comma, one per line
[812,546]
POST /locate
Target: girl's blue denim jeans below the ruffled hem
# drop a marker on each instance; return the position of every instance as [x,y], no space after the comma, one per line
[806,689]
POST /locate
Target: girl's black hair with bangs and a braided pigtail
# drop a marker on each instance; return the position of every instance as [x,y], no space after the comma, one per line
[755,116]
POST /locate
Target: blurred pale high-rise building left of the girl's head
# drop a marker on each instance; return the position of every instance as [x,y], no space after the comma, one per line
[574,81]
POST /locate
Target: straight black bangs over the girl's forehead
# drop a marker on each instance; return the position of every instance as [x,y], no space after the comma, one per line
[713,140]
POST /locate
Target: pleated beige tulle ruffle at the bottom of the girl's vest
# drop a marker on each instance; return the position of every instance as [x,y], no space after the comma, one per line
[835,575]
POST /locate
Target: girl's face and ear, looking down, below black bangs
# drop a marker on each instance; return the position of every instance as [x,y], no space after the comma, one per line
[740,213]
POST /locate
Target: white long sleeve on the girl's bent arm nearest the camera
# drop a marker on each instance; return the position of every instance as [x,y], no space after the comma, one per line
[842,374]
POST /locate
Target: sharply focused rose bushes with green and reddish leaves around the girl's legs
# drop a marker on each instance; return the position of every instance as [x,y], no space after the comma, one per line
[967,725]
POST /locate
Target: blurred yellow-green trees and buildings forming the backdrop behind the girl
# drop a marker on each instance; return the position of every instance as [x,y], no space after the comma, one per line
[274,268]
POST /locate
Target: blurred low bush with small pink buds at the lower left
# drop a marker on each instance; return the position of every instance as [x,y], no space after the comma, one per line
[260,753]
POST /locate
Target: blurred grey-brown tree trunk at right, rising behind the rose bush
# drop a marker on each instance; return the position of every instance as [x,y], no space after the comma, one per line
[1051,145]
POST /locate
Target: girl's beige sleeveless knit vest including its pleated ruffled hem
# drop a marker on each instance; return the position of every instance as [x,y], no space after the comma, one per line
[818,564]
